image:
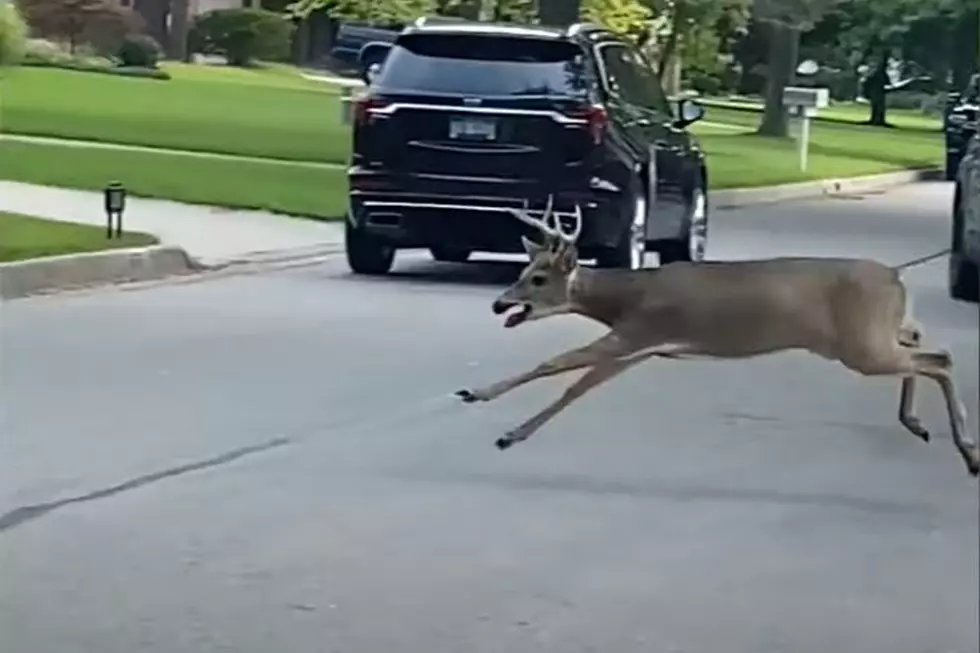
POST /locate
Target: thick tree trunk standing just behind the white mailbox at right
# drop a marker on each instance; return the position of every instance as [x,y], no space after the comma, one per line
[785,19]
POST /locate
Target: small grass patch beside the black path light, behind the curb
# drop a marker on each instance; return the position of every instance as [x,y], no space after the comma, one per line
[24,237]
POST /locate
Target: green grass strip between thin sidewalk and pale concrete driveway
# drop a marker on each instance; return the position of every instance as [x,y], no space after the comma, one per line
[287,188]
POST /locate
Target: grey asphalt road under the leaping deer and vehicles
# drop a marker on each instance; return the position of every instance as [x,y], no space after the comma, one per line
[274,462]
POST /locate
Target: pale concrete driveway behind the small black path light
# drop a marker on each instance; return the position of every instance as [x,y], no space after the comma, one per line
[211,235]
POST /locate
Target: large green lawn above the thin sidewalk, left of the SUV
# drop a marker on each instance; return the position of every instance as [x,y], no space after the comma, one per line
[271,113]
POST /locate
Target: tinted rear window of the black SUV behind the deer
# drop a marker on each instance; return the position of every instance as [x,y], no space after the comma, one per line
[484,66]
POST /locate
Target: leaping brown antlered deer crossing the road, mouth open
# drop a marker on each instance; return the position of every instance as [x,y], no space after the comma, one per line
[846,310]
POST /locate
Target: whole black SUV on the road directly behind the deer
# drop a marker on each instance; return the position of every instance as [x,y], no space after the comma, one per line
[466,121]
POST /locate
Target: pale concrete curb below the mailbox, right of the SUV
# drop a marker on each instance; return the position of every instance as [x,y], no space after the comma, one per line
[741,197]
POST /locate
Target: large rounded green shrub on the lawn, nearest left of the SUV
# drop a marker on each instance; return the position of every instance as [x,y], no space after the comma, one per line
[242,36]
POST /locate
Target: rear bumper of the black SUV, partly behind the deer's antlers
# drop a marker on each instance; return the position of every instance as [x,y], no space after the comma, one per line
[473,213]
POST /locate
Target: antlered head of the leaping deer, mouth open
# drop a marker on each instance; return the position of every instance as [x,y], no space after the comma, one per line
[541,290]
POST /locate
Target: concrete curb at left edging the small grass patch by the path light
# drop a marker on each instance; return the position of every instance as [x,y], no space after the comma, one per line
[73,271]
